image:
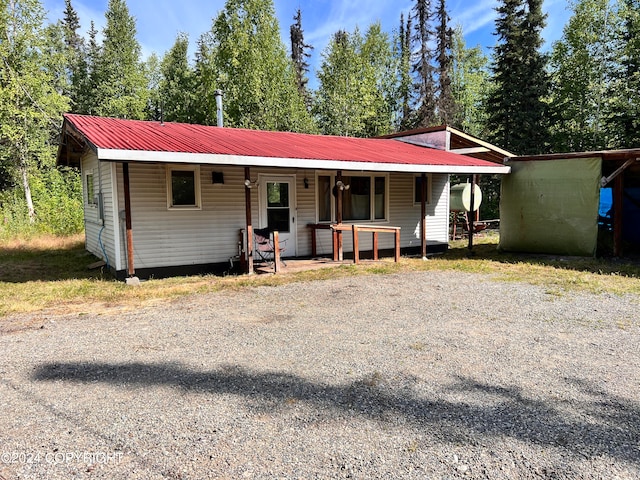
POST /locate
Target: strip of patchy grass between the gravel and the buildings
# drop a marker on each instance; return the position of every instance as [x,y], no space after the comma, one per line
[50,274]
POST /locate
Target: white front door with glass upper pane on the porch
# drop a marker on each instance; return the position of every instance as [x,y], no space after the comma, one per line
[278,209]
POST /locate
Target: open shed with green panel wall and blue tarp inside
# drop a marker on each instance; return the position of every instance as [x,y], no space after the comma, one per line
[579,203]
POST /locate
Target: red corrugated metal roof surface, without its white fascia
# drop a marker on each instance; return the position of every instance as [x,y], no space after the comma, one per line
[134,135]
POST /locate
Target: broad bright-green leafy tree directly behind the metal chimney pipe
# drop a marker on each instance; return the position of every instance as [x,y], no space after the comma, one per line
[243,55]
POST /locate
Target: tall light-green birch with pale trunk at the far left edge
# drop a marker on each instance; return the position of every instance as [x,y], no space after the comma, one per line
[30,106]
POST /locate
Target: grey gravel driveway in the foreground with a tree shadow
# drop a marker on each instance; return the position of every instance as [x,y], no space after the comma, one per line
[426,375]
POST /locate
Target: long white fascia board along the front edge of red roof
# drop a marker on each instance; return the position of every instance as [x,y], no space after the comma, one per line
[144,156]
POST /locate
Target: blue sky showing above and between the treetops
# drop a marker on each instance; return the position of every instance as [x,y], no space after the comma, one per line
[159,21]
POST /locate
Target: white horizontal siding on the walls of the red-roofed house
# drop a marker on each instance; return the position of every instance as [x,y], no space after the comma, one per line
[163,237]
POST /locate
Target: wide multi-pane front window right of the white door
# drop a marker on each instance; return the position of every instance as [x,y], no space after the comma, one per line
[363,199]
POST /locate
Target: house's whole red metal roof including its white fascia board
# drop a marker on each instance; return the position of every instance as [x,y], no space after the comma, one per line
[165,142]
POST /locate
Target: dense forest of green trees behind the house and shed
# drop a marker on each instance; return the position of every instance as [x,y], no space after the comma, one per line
[581,94]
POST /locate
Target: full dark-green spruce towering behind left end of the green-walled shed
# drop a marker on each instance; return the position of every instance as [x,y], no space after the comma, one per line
[518,114]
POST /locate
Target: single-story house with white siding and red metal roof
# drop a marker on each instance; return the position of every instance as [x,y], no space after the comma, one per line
[163,198]
